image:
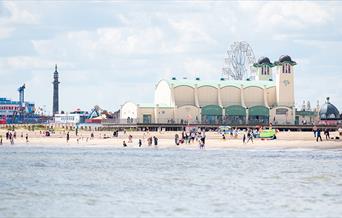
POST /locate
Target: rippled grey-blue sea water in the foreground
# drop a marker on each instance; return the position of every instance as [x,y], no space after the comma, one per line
[104,182]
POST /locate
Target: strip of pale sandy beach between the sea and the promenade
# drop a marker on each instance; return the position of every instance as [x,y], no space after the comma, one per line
[285,140]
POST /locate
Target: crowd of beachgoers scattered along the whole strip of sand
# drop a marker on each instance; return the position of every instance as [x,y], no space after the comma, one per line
[189,135]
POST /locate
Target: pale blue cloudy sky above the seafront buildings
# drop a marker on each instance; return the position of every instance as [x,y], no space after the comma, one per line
[110,52]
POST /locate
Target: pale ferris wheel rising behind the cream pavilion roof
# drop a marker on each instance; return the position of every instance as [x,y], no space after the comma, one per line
[238,65]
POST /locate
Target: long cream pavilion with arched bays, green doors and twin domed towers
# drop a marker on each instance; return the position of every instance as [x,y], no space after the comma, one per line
[267,99]
